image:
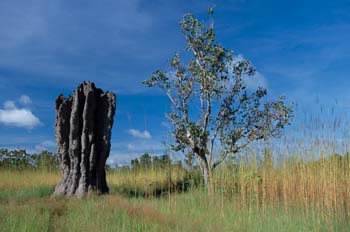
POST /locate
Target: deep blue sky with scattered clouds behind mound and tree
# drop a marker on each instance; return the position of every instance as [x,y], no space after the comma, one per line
[300,49]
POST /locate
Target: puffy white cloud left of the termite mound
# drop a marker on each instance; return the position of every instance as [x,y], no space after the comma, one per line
[19,117]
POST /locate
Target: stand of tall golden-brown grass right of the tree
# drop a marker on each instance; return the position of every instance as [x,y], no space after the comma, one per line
[321,188]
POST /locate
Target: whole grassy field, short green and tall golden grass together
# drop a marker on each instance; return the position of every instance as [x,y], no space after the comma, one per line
[295,196]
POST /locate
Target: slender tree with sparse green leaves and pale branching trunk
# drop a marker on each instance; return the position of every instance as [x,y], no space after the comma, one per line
[229,115]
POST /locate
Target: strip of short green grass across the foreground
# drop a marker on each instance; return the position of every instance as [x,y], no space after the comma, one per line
[36,210]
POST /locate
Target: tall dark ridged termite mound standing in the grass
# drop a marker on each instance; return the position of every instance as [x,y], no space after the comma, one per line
[83,132]
